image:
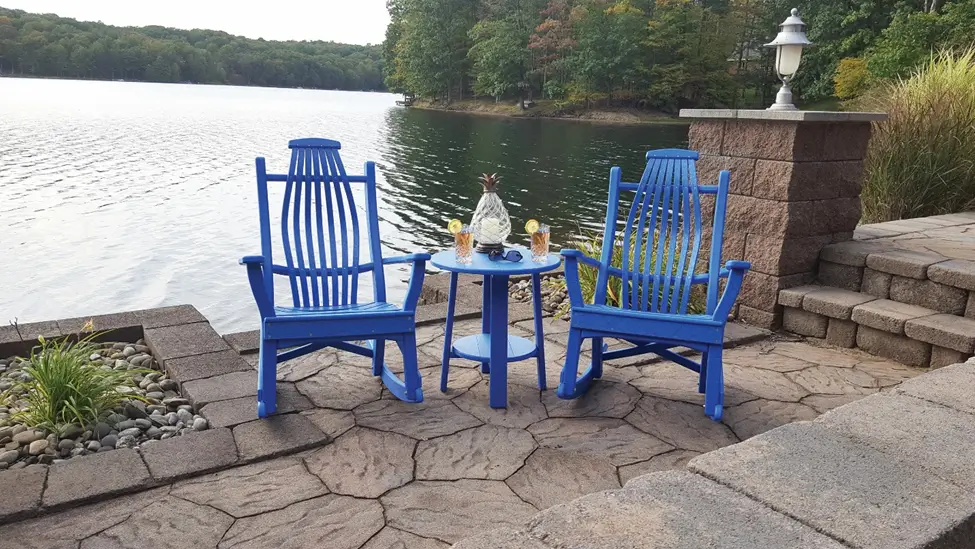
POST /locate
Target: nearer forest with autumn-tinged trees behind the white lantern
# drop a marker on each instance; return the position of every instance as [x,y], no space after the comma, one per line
[658,54]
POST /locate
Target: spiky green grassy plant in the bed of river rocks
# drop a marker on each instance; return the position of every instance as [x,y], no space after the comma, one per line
[64,386]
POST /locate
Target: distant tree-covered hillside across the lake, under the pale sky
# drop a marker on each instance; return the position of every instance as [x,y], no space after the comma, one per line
[52,46]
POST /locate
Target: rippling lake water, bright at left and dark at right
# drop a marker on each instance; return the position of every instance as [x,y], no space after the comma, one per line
[118,195]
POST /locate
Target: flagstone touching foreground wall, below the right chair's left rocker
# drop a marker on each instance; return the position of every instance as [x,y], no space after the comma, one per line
[551,477]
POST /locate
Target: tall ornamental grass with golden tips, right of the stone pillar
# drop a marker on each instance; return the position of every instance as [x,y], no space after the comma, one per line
[921,160]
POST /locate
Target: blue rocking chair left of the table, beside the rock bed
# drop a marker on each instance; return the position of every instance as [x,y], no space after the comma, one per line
[320,234]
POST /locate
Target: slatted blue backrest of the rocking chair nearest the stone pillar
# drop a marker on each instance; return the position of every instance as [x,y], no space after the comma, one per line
[662,235]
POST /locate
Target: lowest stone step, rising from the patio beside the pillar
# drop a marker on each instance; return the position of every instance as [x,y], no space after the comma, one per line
[910,334]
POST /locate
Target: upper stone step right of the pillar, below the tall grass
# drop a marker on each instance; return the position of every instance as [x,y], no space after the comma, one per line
[932,268]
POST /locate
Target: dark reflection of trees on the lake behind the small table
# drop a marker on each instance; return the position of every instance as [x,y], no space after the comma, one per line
[554,171]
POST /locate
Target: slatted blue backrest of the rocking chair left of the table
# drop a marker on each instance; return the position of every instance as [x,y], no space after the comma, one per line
[320,227]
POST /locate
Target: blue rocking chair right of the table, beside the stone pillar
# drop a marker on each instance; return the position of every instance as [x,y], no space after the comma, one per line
[660,247]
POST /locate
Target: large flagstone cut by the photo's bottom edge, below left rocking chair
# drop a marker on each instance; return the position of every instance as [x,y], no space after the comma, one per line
[336,522]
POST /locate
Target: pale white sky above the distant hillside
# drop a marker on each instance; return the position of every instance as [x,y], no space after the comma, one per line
[349,21]
